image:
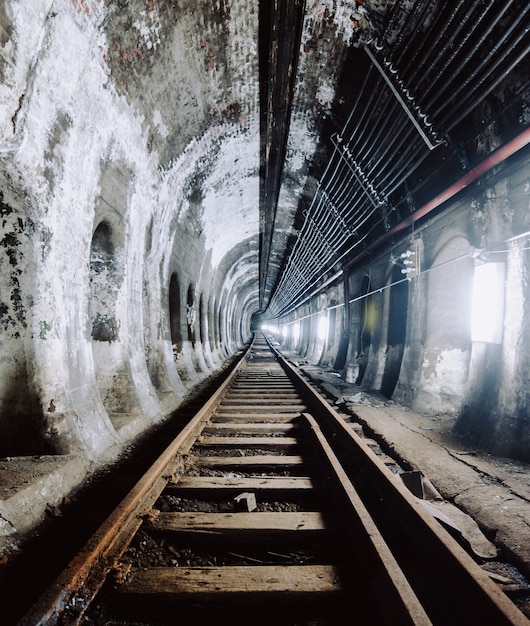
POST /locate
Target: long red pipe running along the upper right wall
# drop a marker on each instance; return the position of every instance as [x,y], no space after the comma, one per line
[495,158]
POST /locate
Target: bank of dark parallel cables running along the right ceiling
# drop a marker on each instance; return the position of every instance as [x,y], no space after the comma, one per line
[431,67]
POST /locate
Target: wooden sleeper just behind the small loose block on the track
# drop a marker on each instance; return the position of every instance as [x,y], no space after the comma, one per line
[233,484]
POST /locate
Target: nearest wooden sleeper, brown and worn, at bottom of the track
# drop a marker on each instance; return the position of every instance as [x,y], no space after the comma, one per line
[209,583]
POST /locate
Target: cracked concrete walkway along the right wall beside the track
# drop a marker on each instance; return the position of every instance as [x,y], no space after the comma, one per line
[493,491]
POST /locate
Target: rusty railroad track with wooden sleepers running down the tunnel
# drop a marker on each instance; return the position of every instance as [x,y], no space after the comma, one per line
[268,508]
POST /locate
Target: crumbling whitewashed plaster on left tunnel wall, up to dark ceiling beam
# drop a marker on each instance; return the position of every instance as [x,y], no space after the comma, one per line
[96,129]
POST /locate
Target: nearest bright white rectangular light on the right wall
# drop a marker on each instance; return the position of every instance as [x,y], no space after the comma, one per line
[487,305]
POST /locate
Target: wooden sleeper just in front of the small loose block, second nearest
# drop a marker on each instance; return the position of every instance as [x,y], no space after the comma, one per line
[264,524]
